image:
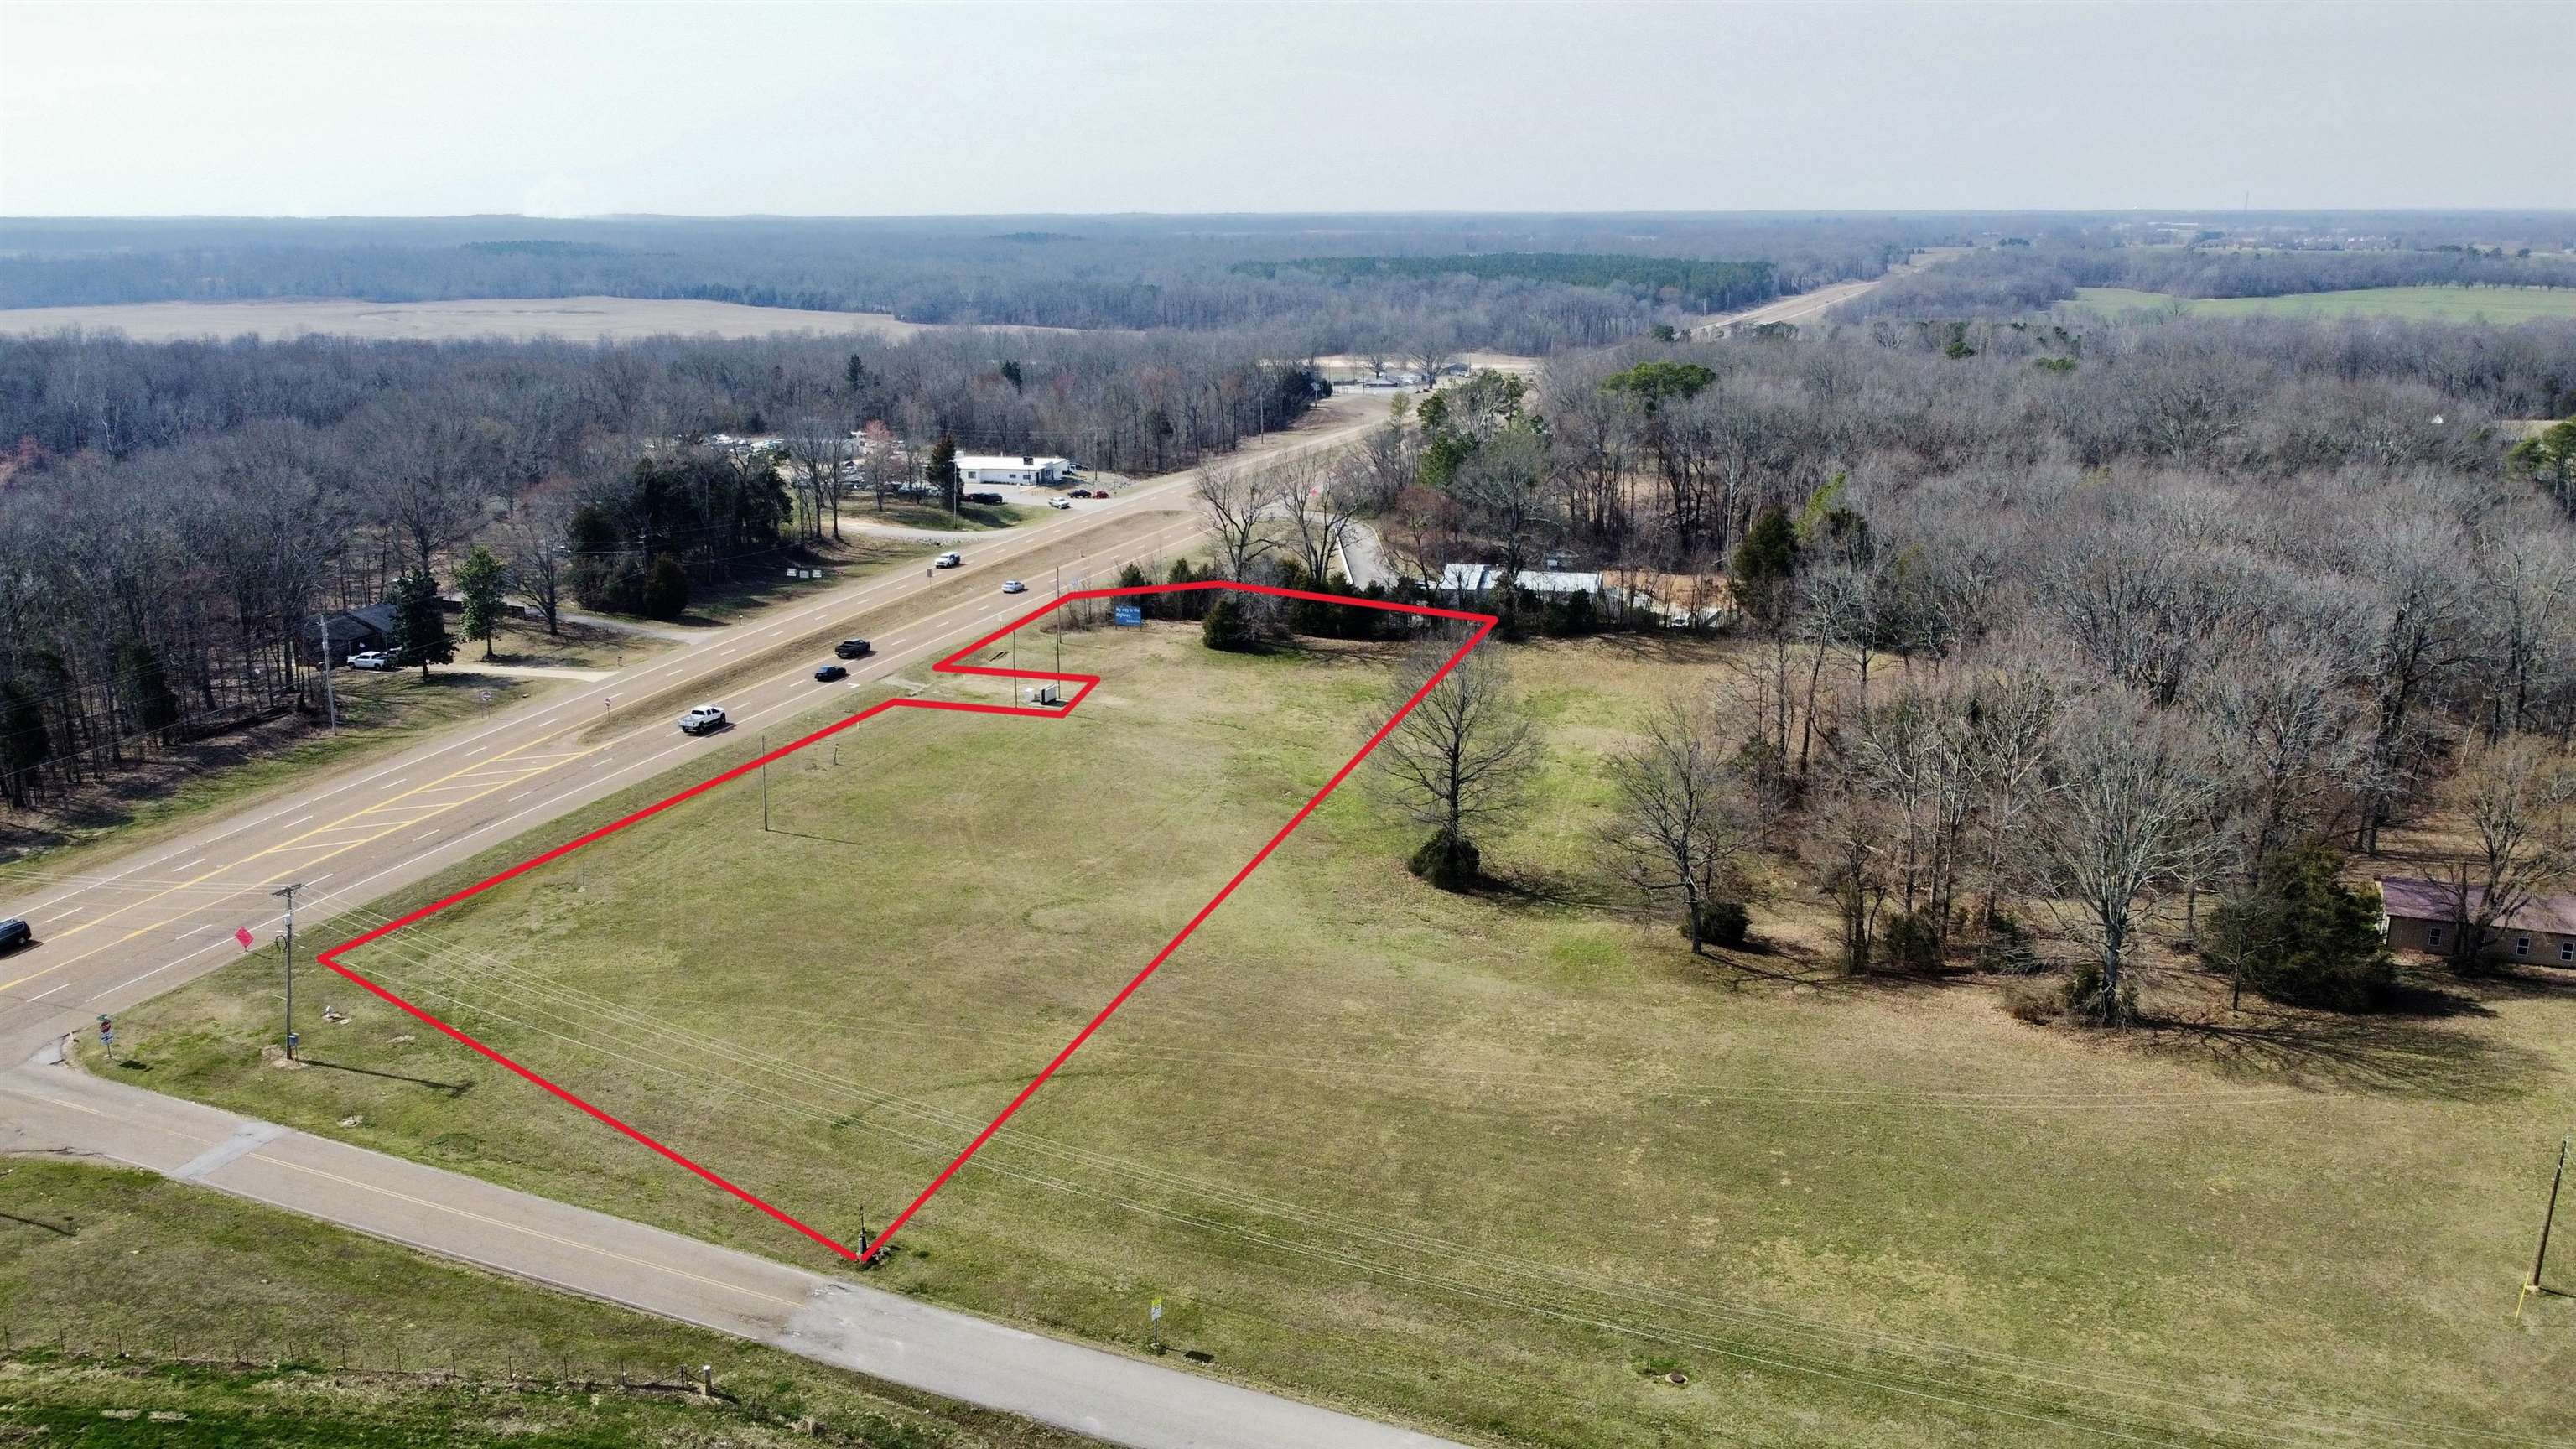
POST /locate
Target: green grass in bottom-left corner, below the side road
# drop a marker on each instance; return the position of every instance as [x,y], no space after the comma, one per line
[143,1311]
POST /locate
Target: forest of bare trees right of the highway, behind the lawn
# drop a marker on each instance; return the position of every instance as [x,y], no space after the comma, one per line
[2067,623]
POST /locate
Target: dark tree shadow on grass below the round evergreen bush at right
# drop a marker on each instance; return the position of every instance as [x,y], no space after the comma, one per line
[2376,1056]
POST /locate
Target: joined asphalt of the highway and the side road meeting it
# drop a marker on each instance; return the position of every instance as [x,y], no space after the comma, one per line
[128,929]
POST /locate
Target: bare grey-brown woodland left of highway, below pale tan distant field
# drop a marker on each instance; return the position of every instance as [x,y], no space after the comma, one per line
[174,517]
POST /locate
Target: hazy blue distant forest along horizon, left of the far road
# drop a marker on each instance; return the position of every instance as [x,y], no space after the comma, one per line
[1094,272]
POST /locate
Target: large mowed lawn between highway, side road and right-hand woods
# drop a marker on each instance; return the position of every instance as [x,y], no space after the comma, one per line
[1506,1167]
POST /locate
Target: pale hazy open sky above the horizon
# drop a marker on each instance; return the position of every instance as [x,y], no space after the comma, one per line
[1248,107]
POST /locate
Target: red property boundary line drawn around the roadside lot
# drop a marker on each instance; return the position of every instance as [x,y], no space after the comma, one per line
[949,664]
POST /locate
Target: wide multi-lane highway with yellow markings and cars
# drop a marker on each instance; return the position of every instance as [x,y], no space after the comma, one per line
[143,924]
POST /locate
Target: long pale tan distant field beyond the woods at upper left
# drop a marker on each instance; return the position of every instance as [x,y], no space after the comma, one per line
[571,318]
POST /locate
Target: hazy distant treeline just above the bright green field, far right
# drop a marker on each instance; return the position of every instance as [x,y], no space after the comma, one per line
[2023,280]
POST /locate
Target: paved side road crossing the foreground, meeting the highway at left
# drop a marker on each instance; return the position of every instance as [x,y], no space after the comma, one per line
[53,1107]
